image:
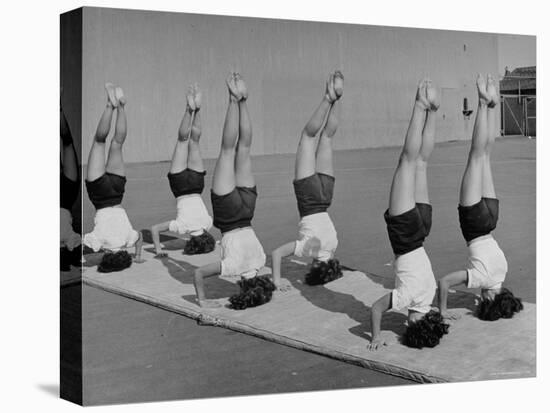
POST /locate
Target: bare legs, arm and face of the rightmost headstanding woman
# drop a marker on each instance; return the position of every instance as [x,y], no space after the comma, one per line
[477,181]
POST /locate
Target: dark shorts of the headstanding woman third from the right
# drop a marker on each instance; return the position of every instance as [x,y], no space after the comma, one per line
[314,193]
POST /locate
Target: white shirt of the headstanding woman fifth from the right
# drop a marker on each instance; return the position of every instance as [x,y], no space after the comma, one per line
[192,216]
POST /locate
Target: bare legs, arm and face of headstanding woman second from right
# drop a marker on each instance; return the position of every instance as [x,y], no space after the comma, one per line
[410,184]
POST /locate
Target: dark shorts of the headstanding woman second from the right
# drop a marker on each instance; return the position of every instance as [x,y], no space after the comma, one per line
[408,230]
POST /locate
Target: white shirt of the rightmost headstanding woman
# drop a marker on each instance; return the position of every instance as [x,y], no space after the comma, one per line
[487,266]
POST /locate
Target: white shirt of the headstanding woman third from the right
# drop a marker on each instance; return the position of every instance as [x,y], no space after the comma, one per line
[317,237]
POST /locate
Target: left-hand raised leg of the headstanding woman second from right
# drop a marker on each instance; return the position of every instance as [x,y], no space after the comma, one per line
[402,193]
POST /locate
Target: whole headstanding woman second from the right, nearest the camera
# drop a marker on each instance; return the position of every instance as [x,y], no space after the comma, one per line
[408,221]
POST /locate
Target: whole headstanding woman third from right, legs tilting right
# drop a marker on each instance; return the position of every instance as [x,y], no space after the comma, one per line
[314,187]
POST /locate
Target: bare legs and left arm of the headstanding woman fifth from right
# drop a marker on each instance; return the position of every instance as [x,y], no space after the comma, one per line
[187,153]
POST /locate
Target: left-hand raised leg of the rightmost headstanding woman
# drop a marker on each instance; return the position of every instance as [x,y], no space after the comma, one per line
[471,189]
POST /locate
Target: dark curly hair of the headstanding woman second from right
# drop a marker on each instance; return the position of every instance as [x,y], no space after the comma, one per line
[426,332]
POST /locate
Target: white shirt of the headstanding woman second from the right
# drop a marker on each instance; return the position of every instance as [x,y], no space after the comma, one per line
[414,283]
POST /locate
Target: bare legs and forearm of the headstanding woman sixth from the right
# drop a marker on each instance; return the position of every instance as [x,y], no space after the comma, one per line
[97,165]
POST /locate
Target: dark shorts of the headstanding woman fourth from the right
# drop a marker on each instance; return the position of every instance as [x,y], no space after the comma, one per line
[235,209]
